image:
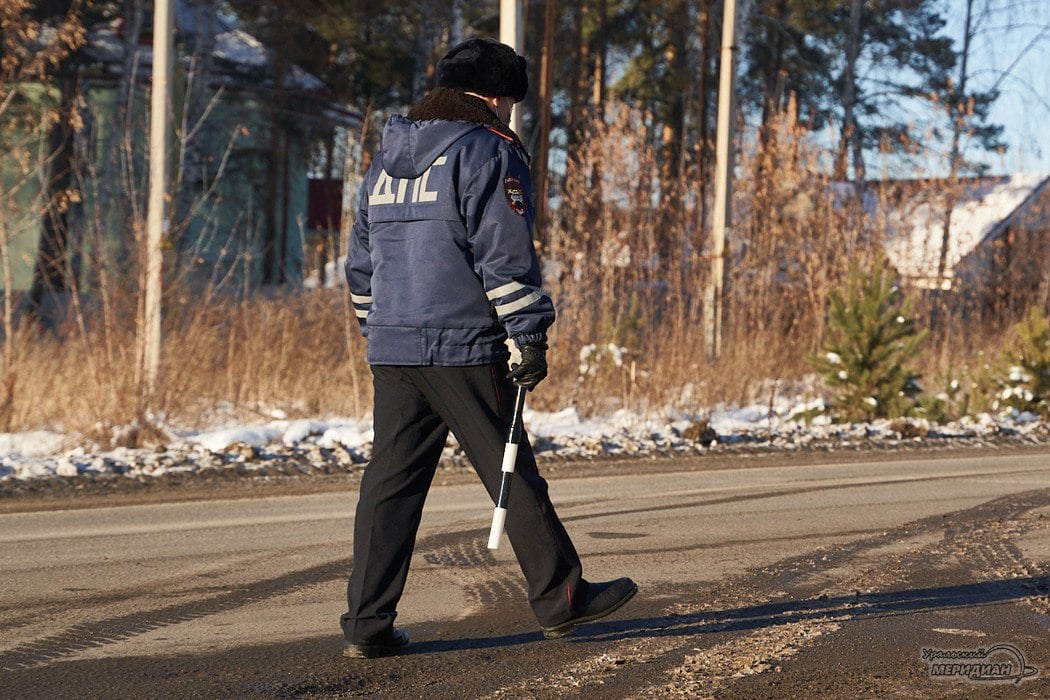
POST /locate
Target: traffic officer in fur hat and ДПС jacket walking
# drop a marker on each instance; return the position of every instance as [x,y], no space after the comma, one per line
[443,272]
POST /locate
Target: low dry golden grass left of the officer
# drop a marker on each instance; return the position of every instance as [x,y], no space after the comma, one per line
[233,359]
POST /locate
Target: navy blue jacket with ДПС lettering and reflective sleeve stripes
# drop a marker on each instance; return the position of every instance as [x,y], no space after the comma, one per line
[442,265]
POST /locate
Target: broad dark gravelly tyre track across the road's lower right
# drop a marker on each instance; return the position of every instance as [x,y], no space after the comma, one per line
[751,624]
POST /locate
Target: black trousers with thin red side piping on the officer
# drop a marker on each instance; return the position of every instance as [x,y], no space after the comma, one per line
[415,409]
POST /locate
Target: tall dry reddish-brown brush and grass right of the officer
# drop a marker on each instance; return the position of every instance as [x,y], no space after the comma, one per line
[633,274]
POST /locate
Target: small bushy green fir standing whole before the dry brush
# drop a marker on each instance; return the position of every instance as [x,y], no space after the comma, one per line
[871,338]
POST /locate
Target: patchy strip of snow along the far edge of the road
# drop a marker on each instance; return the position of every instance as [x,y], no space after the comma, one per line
[283,447]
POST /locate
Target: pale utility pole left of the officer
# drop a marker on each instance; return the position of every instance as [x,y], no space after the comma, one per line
[157,217]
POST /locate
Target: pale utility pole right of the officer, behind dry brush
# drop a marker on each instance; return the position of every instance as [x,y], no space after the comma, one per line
[715,298]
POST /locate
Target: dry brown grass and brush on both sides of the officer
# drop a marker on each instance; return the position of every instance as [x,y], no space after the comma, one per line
[627,266]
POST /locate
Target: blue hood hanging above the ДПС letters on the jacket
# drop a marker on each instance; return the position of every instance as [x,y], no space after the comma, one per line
[409,149]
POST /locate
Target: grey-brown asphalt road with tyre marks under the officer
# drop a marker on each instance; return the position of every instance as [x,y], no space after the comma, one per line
[872,577]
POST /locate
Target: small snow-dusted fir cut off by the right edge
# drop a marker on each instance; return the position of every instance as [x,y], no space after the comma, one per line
[1024,383]
